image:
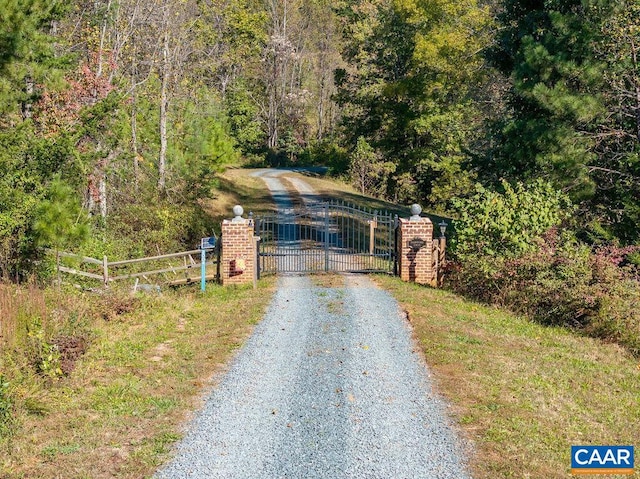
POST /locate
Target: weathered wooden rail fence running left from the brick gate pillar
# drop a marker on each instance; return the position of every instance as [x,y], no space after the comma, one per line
[169,269]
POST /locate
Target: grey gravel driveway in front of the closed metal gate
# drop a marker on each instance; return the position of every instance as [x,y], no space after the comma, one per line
[328,386]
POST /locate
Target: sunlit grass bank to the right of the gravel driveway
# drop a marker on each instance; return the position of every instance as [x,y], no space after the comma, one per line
[524,393]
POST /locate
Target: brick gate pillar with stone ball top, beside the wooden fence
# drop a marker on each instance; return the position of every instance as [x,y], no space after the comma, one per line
[238,250]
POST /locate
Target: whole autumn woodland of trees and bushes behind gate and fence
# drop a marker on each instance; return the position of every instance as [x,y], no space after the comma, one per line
[519,119]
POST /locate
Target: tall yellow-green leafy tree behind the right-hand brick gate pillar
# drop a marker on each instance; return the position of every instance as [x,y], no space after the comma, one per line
[414,70]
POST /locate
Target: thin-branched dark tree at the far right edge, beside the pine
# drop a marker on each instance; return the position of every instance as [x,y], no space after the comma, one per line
[615,207]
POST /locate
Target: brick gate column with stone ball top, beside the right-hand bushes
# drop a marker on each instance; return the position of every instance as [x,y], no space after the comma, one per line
[415,250]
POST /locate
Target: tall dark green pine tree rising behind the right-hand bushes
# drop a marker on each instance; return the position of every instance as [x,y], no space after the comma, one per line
[546,49]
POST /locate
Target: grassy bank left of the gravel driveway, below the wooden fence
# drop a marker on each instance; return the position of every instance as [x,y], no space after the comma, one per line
[119,409]
